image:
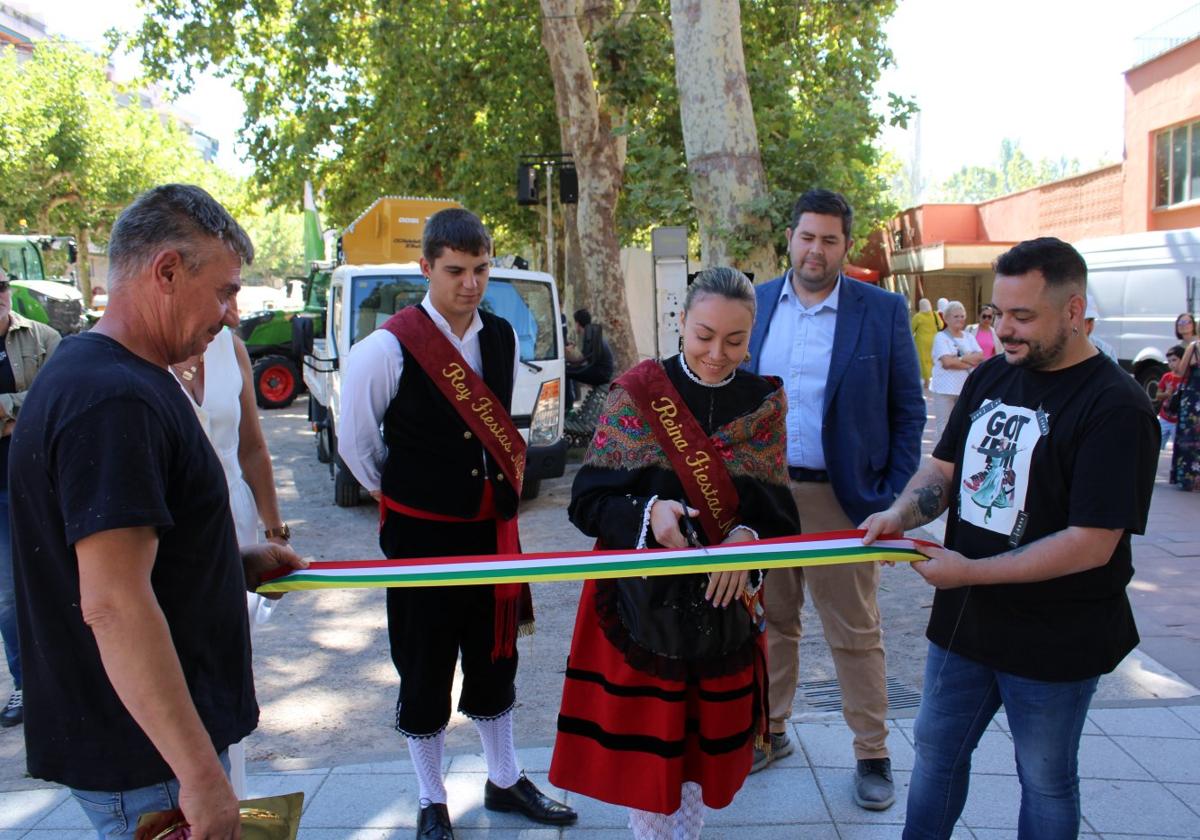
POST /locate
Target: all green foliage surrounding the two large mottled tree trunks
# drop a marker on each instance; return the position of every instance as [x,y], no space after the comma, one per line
[424,98]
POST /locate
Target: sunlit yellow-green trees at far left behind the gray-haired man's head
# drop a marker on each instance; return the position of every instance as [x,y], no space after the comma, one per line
[75,149]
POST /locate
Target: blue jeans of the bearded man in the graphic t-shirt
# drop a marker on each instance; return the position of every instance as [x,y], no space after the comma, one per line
[961,699]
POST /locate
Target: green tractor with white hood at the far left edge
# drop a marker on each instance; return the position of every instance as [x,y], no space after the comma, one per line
[35,296]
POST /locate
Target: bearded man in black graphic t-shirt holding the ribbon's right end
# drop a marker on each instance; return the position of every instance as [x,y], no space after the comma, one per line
[1047,467]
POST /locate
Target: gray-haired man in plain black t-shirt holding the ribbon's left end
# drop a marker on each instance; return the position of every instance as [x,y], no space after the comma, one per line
[131,587]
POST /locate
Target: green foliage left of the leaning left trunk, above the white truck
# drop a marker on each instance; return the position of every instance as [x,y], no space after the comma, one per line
[391,97]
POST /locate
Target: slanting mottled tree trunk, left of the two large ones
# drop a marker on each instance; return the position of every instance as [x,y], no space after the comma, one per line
[599,163]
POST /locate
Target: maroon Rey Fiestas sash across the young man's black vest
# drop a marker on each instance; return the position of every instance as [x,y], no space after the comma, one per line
[464,389]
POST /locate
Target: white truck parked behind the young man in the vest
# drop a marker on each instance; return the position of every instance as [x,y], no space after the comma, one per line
[362,298]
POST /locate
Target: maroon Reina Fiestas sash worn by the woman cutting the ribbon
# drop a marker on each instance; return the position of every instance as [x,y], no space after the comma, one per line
[706,482]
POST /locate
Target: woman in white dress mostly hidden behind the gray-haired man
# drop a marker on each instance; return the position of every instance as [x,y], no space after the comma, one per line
[220,386]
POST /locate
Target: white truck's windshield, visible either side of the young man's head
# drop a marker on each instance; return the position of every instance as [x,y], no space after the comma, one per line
[526,304]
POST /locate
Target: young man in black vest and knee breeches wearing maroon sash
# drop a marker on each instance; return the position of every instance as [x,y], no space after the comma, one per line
[447,471]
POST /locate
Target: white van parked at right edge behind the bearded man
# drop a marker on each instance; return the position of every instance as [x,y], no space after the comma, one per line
[1142,284]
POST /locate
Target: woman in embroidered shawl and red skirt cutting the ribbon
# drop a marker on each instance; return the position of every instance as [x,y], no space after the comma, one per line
[665,689]
